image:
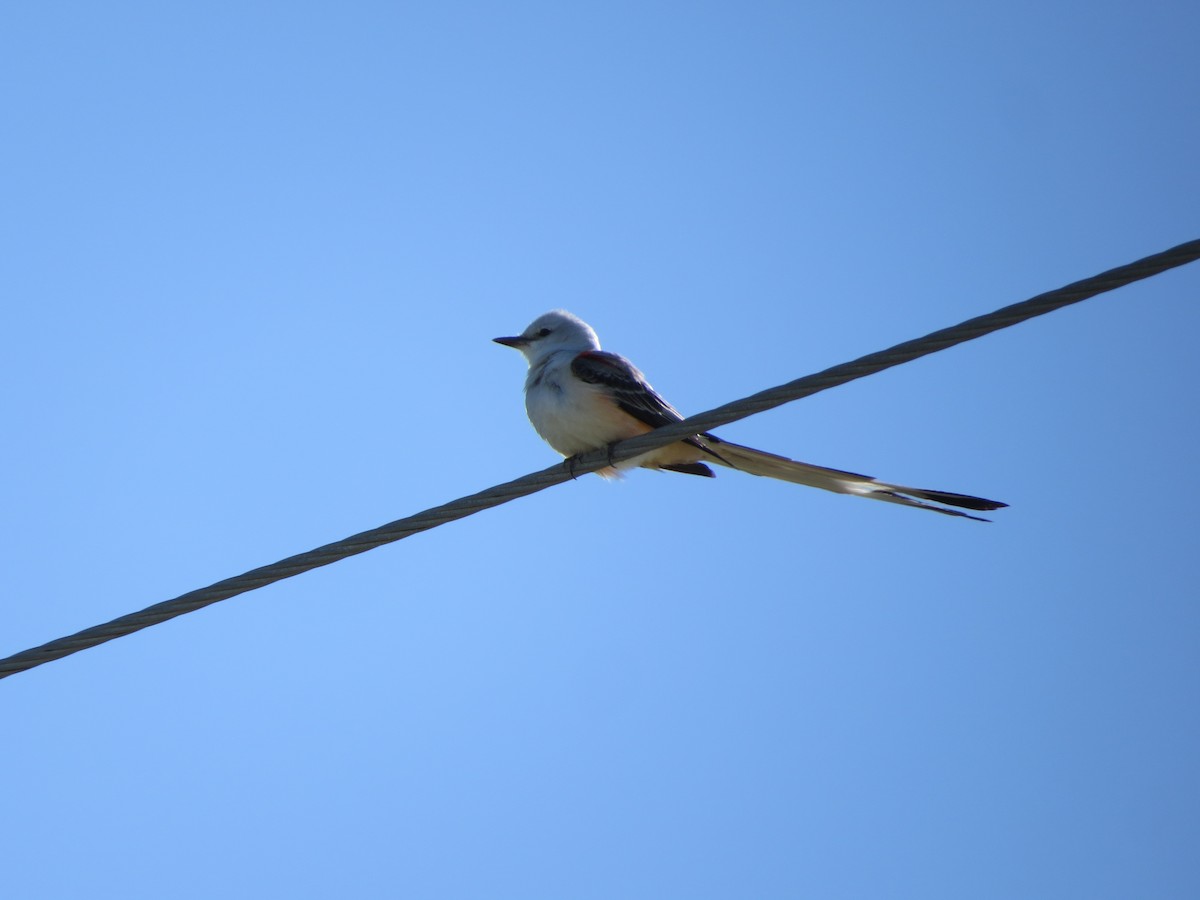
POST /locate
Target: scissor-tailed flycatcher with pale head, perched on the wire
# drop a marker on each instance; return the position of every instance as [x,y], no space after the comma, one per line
[580,399]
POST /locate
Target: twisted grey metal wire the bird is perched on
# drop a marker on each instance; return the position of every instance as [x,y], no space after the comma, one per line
[595,460]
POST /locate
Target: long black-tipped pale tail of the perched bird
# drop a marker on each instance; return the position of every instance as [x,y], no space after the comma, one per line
[758,463]
